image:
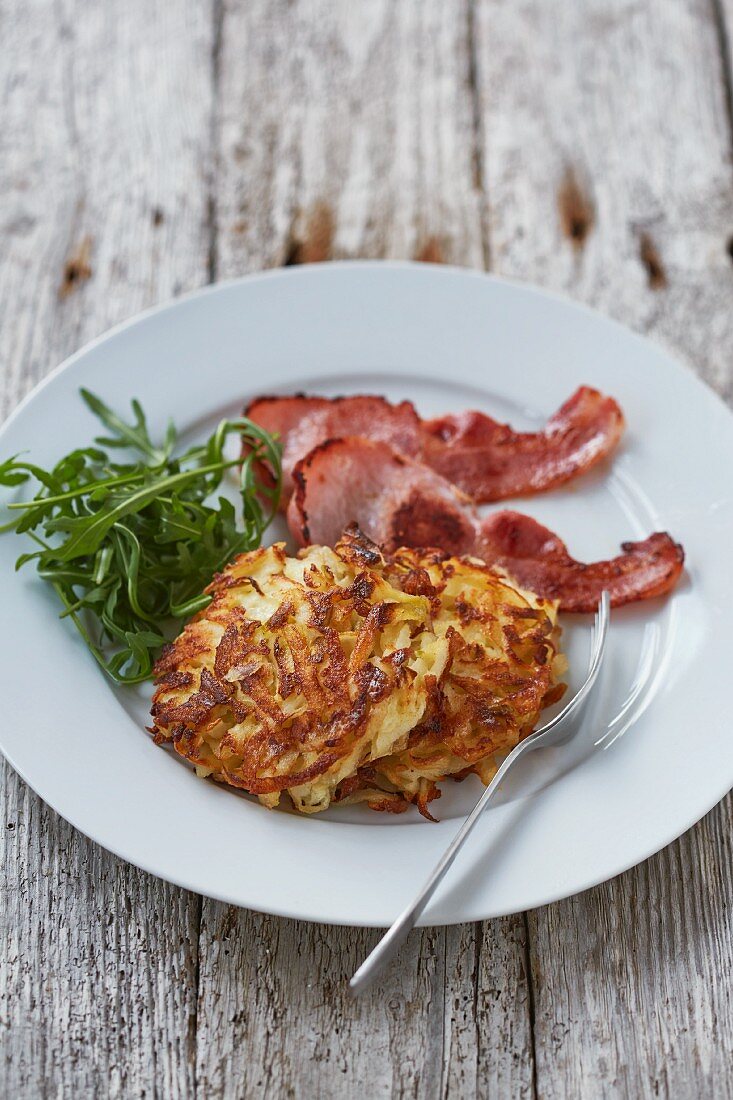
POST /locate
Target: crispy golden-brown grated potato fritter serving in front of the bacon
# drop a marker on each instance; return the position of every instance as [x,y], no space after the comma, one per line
[348,675]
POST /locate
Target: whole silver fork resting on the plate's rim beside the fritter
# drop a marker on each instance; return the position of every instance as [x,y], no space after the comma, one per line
[552,733]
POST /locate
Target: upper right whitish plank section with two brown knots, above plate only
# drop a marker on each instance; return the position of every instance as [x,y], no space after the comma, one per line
[606,138]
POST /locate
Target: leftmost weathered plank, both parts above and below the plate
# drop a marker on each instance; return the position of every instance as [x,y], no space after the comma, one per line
[104,155]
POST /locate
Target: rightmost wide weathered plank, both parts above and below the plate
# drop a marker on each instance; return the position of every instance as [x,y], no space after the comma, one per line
[606,140]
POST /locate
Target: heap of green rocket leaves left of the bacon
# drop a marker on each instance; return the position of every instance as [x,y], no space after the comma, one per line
[129,546]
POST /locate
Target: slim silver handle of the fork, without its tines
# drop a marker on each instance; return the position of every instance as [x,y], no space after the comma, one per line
[393,940]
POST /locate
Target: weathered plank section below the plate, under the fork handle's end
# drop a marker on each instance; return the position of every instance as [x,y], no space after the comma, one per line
[276,1017]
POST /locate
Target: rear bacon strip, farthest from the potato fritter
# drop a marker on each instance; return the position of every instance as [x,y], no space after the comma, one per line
[486,459]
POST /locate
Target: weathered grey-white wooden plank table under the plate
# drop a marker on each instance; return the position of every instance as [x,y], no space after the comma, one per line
[149,149]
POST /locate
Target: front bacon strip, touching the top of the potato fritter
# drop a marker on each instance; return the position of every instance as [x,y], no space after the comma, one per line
[398,502]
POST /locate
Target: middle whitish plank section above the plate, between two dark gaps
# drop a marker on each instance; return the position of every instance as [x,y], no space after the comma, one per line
[346,131]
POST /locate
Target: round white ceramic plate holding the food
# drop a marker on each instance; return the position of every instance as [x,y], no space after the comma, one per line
[657,752]
